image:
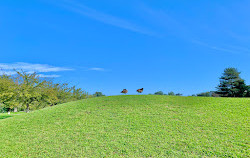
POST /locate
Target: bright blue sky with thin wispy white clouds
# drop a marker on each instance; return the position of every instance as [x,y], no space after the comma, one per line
[181,46]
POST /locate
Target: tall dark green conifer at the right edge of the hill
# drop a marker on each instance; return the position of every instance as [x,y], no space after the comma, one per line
[231,85]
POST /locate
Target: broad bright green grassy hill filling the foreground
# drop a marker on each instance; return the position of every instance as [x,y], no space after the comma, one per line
[131,126]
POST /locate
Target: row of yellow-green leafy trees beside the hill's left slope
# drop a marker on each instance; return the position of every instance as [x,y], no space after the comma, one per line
[25,91]
